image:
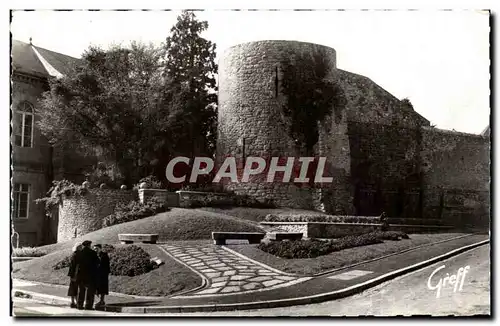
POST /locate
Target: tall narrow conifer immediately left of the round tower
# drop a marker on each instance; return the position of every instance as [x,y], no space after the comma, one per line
[190,72]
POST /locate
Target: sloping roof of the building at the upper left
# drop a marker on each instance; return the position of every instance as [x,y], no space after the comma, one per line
[40,62]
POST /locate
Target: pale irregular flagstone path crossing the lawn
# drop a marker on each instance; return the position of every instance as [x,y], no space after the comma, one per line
[228,273]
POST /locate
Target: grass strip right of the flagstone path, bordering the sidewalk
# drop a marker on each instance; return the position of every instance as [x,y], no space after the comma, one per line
[346,257]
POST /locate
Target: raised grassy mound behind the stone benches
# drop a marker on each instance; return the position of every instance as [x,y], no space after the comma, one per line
[174,225]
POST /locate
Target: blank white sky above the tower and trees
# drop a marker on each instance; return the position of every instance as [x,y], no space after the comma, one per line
[437,59]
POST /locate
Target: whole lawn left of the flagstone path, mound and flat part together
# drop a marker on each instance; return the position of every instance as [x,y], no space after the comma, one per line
[175,225]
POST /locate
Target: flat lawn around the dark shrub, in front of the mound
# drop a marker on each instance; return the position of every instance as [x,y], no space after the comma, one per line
[169,278]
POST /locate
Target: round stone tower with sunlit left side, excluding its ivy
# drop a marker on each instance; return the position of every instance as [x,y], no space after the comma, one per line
[254,116]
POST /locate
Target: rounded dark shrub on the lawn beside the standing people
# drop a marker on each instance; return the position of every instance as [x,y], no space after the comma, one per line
[130,261]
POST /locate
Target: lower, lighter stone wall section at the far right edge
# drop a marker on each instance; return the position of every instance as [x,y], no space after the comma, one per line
[456,177]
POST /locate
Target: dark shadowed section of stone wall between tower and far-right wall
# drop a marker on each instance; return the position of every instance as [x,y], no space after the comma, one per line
[385,169]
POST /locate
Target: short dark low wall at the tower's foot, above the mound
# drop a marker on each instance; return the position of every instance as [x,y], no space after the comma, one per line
[192,199]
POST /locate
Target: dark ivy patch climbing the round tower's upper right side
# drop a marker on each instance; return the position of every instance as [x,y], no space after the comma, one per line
[310,98]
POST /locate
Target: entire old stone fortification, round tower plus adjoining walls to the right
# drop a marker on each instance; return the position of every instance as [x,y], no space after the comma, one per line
[382,154]
